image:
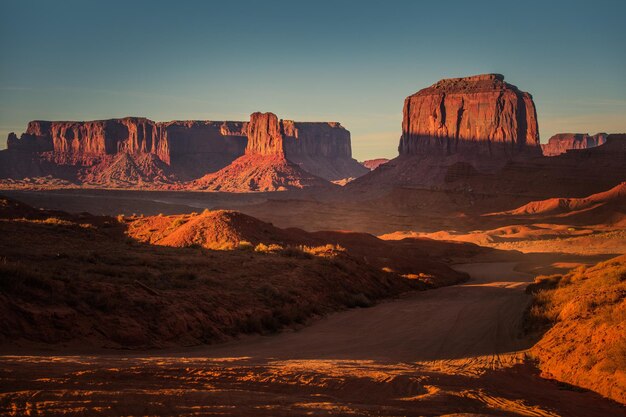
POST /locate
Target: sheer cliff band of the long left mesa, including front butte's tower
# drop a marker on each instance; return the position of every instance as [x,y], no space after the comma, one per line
[194,148]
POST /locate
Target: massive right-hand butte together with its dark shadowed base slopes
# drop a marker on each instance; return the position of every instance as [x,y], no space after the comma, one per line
[478,135]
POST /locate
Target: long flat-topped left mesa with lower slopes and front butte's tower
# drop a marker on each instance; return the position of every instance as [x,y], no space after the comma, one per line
[177,150]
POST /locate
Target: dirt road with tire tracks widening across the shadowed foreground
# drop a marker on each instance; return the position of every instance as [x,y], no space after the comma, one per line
[451,351]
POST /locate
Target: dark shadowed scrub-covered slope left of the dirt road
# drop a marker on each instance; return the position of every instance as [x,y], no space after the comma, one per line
[58,286]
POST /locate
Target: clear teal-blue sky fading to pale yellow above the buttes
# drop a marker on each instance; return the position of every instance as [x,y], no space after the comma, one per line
[348,61]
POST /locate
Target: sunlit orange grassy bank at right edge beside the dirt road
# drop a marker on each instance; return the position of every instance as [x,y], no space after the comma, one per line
[586,344]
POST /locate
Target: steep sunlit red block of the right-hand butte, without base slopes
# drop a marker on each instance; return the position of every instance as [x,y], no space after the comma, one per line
[478,115]
